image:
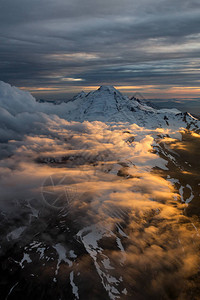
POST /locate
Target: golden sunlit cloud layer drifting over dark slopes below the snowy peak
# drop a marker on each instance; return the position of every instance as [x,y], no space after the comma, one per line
[114,190]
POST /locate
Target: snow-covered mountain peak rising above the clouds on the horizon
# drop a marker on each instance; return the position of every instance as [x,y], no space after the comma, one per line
[107,104]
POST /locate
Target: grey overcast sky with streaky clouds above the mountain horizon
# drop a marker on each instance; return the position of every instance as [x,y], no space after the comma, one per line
[61,47]
